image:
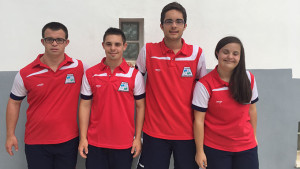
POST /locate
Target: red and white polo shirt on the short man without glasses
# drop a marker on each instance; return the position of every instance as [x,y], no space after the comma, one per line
[113,97]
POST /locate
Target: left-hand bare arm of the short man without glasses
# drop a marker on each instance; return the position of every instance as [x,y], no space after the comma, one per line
[84,116]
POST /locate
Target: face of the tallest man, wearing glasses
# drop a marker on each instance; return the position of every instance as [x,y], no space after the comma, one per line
[175,30]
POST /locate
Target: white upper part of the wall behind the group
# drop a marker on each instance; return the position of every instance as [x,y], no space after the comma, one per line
[269,29]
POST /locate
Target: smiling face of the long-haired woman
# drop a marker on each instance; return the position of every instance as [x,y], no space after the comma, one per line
[229,56]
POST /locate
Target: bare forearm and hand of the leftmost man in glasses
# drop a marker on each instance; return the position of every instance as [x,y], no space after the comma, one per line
[12,116]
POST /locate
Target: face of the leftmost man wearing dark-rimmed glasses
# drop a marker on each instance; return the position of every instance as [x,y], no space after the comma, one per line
[54,49]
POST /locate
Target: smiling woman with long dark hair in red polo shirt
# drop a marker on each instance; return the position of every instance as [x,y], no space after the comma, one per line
[225,111]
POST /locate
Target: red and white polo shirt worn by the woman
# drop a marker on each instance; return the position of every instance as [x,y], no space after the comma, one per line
[227,122]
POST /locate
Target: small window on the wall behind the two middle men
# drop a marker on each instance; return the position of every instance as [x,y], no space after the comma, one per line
[134,32]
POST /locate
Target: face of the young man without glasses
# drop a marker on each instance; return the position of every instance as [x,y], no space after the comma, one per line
[114,47]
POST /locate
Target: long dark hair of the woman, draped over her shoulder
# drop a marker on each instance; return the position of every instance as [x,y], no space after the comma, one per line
[239,84]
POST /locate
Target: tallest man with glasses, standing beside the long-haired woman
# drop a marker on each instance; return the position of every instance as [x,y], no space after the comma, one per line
[172,68]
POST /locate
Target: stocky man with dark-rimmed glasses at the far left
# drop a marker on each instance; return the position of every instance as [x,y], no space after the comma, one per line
[52,85]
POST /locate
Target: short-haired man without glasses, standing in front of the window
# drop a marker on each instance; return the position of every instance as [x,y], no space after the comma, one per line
[109,93]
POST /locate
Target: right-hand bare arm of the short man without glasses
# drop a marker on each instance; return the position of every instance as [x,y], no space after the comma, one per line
[140,114]
